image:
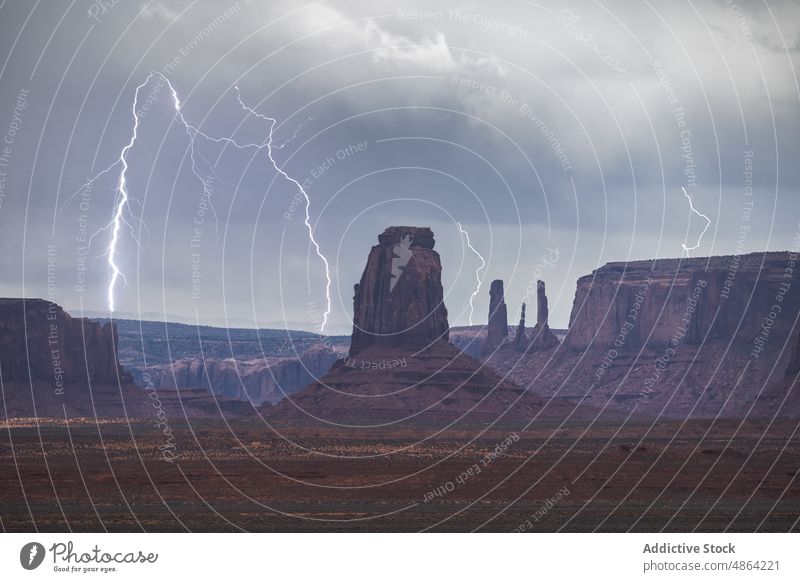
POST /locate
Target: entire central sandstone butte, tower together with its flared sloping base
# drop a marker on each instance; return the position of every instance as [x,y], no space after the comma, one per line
[407,378]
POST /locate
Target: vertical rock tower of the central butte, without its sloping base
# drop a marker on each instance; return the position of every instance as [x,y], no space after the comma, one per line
[399,301]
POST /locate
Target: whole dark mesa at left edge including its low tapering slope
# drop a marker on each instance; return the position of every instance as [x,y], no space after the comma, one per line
[55,365]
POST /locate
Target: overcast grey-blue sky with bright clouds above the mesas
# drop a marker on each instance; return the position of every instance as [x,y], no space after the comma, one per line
[559,135]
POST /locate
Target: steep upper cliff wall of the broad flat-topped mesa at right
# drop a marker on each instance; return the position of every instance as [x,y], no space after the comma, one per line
[649,302]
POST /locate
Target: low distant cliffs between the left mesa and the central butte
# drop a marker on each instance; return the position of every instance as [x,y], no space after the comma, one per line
[258,380]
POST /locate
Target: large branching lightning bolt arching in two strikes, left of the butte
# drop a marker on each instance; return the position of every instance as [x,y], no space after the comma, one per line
[121,214]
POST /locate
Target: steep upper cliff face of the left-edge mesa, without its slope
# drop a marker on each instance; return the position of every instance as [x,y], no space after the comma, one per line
[39,341]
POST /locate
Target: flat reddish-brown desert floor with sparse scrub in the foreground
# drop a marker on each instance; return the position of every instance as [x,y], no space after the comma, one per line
[676,477]
